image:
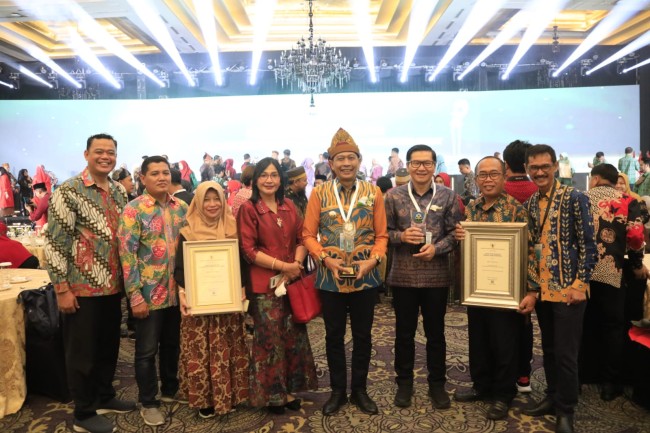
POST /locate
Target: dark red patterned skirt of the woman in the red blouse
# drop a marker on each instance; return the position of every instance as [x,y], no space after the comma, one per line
[281,360]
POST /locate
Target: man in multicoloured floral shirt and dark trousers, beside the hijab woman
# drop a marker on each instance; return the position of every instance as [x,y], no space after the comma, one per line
[148,234]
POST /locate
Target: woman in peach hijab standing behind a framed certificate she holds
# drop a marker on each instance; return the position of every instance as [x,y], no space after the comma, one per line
[214,364]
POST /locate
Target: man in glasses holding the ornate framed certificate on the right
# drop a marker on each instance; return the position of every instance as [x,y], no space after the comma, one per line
[494,332]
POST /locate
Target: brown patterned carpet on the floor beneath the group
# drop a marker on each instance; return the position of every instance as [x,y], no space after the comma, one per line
[42,415]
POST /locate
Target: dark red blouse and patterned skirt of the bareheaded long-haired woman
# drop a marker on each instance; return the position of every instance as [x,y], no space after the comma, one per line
[281,359]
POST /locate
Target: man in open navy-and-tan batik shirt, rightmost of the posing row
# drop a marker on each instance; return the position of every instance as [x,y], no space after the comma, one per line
[564,251]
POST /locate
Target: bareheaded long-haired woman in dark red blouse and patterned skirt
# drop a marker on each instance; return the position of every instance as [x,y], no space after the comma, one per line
[270,234]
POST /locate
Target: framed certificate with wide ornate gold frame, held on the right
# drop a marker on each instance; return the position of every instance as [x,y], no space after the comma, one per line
[494,264]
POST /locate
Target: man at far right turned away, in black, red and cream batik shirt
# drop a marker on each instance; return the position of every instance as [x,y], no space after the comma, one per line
[619,231]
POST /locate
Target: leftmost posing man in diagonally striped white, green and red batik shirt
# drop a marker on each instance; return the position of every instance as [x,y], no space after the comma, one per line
[81,248]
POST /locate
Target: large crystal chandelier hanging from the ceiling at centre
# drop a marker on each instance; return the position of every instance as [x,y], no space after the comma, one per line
[312,66]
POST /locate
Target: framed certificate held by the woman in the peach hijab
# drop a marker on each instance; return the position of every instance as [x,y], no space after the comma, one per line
[212,277]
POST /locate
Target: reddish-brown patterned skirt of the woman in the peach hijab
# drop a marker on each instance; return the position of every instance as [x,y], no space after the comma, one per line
[214,362]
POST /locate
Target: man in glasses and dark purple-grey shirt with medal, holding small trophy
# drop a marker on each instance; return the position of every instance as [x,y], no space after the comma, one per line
[421,217]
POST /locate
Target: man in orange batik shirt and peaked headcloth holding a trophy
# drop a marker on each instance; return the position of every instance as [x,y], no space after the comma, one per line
[349,216]
